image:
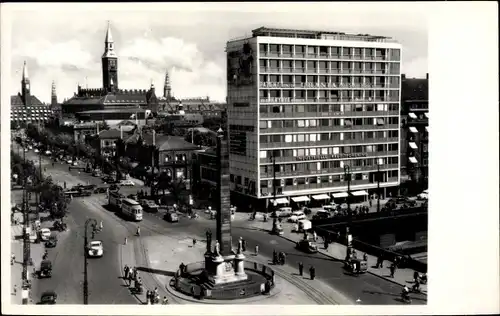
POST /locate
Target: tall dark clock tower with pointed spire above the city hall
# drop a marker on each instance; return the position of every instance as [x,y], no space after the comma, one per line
[109,63]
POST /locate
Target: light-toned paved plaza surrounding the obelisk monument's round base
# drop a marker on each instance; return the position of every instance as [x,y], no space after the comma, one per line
[164,254]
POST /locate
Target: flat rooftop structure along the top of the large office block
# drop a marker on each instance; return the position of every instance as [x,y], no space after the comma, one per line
[329,35]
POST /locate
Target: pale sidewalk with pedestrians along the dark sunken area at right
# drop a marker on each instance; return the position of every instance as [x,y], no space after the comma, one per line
[336,251]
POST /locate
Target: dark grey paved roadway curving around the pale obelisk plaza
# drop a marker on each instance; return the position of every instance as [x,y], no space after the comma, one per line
[105,285]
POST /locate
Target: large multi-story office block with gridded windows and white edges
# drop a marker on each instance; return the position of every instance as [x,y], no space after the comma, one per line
[321,107]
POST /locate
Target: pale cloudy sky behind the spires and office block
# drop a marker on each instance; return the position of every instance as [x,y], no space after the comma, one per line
[64,43]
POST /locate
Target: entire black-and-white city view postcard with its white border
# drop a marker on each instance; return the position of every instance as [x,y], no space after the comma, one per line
[273,154]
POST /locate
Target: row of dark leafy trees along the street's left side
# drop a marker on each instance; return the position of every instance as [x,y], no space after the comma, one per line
[51,195]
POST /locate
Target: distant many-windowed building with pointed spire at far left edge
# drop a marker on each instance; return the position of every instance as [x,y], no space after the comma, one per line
[26,108]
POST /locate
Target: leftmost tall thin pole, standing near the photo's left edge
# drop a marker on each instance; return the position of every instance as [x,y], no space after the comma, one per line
[26,241]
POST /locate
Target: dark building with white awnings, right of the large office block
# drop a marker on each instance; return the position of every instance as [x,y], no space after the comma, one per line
[414,133]
